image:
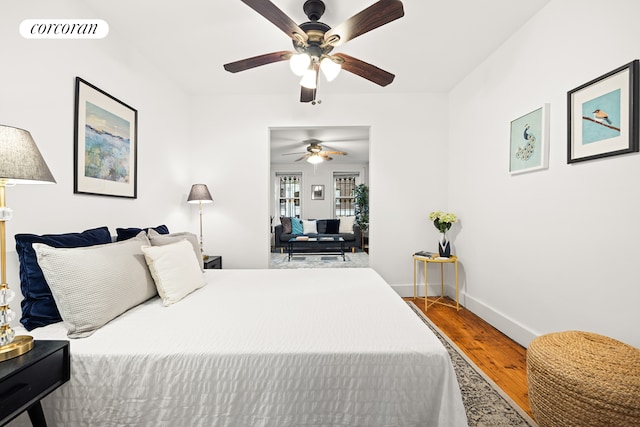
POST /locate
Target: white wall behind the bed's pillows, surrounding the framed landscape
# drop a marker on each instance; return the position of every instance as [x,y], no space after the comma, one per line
[37,94]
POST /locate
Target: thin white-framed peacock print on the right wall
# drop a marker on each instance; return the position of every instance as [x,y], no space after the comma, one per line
[529,141]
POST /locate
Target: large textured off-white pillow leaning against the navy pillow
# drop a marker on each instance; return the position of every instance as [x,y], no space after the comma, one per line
[95,284]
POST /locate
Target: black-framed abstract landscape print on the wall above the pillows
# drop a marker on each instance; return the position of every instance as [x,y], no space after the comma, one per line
[105,144]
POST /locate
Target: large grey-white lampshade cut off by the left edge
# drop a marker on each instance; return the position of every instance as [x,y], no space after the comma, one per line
[20,159]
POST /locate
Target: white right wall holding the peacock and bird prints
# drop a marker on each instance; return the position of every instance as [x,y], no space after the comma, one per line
[556,249]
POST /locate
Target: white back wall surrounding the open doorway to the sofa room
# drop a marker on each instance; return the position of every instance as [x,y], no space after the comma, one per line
[408,148]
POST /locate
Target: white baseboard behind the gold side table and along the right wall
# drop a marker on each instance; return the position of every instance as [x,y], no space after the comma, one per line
[508,326]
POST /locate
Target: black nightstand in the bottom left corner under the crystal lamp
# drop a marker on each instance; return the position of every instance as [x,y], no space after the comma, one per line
[26,379]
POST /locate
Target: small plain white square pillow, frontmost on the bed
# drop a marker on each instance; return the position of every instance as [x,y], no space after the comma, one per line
[174,269]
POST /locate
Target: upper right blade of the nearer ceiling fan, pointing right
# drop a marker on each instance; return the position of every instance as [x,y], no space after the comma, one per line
[376,15]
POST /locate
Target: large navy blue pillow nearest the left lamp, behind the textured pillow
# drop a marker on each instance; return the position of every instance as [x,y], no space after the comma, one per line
[38,305]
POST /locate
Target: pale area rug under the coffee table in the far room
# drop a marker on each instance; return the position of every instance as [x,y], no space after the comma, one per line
[313,260]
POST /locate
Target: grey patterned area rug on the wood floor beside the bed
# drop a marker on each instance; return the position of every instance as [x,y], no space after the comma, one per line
[486,404]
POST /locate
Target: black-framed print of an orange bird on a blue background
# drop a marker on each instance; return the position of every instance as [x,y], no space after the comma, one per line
[603,116]
